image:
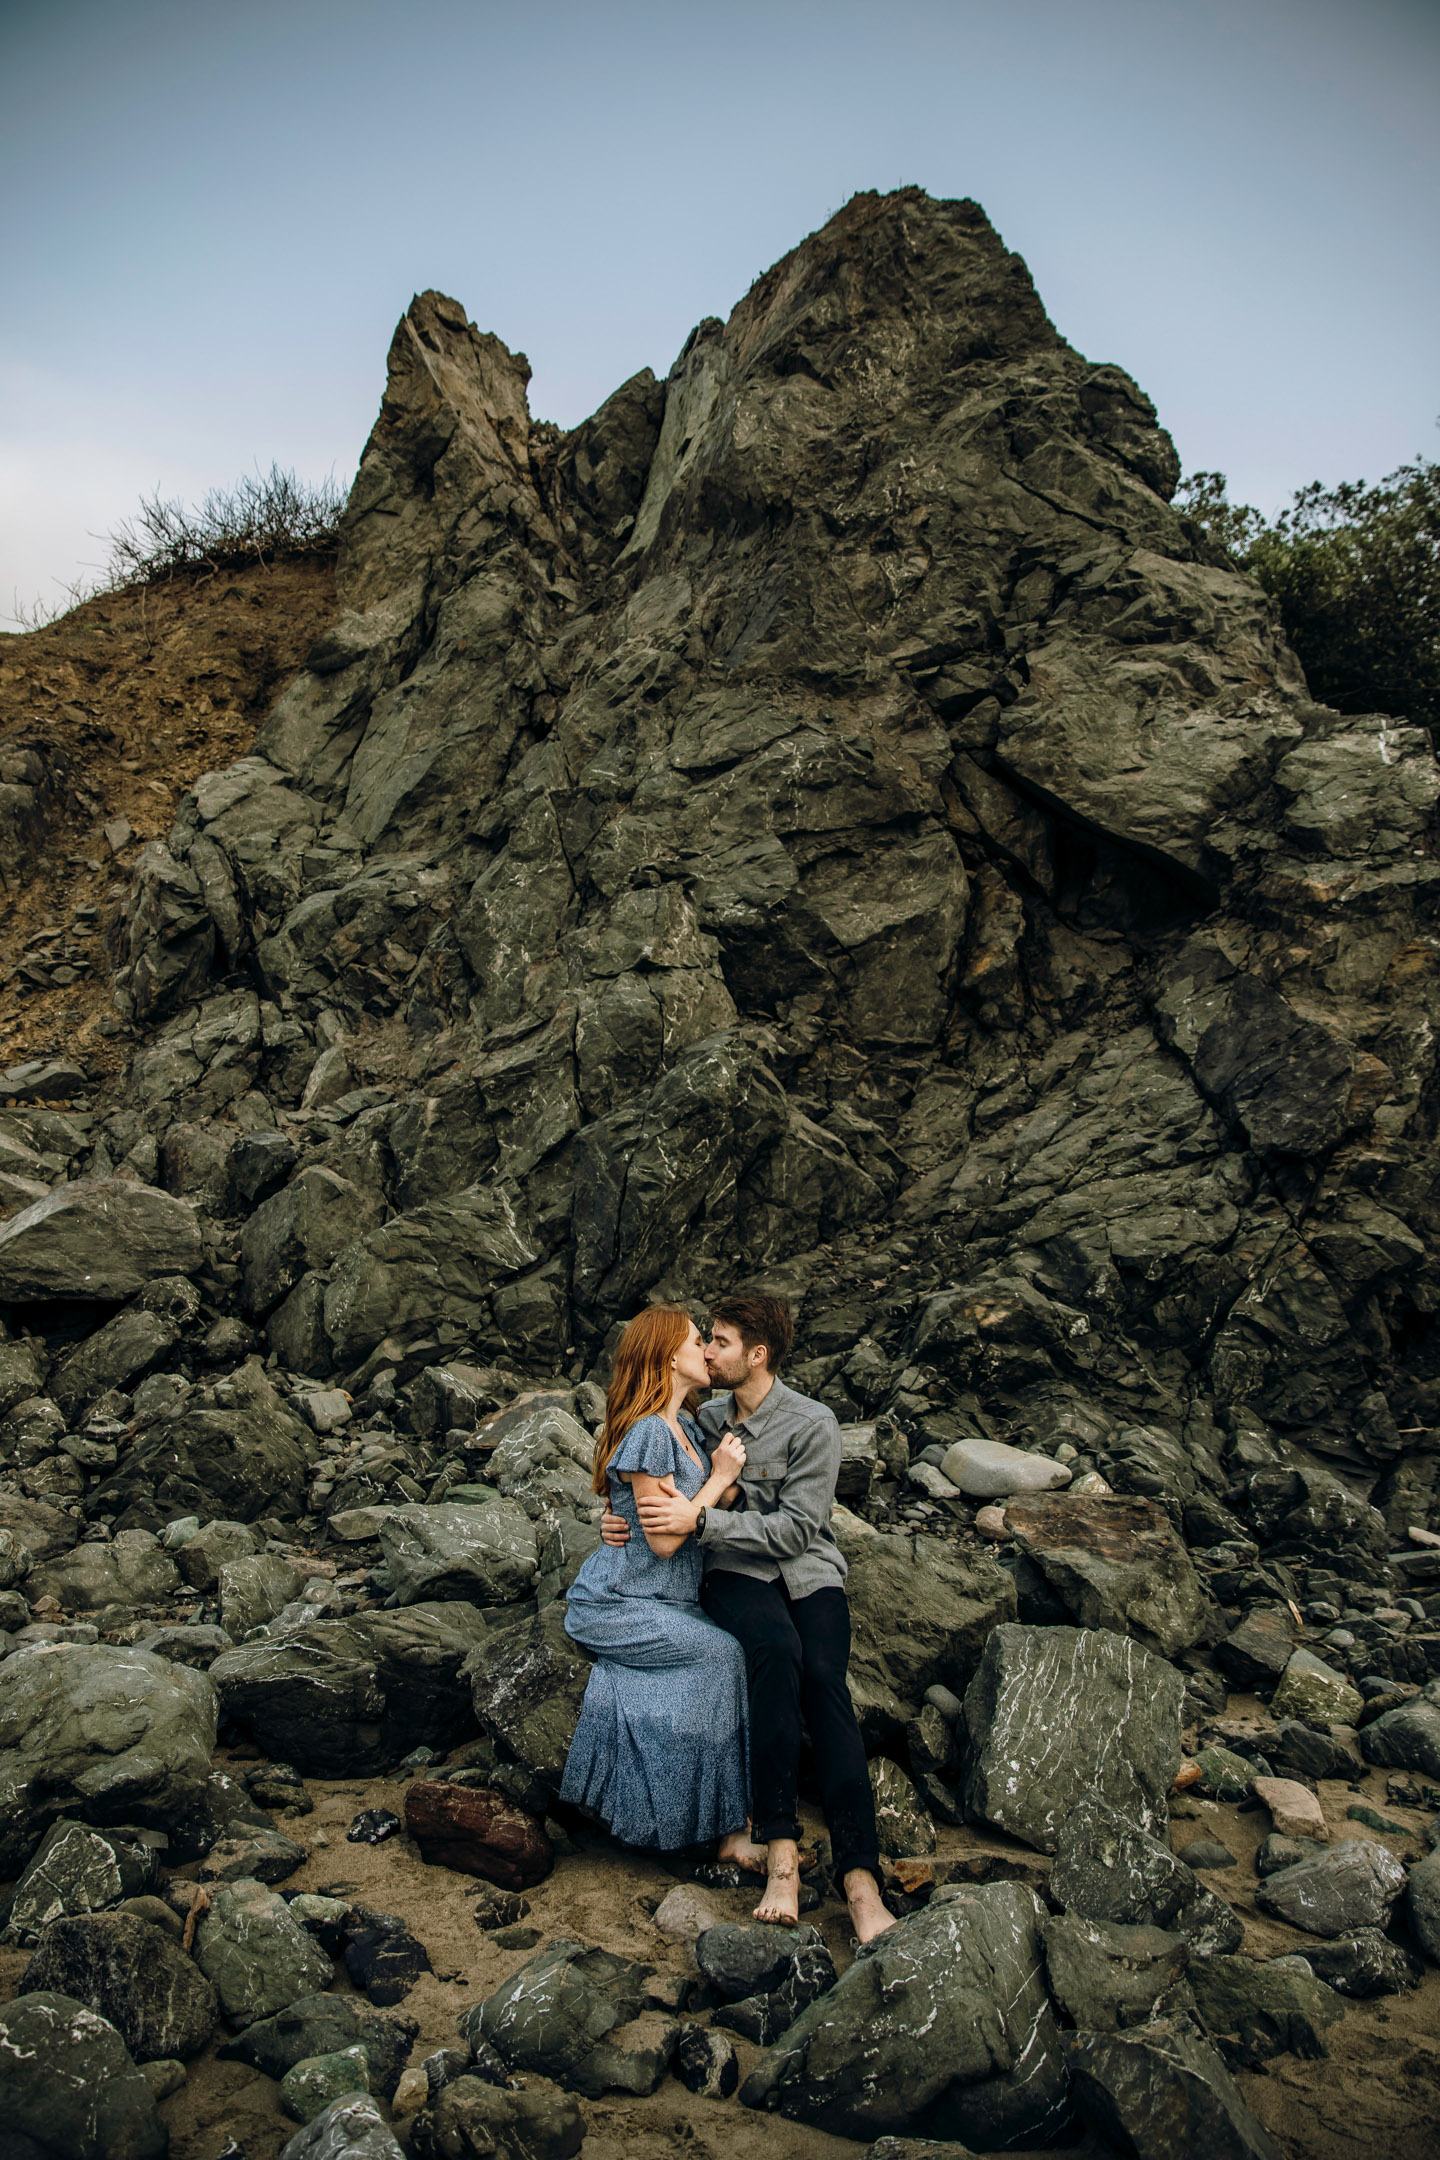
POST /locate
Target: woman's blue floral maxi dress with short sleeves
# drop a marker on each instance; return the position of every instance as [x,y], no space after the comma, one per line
[662,1751]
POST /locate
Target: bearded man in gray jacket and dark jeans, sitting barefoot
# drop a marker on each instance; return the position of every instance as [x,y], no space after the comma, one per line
[776,1582]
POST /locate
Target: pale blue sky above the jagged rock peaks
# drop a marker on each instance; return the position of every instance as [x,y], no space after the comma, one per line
[215,215]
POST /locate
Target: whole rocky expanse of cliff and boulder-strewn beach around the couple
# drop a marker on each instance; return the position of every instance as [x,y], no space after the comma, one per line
[826,824]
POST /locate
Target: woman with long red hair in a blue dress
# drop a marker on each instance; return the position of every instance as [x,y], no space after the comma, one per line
[662,1751]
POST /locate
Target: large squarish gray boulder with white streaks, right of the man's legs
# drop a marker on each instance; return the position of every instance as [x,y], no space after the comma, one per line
[1057,1714]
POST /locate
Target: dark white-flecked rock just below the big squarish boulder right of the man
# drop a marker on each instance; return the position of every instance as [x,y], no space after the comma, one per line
[1111,1872]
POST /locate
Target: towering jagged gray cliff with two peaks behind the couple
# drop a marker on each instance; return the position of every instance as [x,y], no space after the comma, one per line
[828,822]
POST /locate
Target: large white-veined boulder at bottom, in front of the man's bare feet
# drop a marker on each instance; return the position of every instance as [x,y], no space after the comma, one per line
[940,2027]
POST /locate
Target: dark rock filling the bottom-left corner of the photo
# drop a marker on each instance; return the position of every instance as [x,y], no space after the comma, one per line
[68,2083]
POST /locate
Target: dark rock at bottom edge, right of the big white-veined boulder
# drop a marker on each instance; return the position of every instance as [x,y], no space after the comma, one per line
[1163,2090]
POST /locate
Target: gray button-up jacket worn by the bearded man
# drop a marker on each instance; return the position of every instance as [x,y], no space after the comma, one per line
[780,1528]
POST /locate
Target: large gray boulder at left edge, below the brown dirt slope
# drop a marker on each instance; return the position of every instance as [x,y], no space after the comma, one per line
[98,1239]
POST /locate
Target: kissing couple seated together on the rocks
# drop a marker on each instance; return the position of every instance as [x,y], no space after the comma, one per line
[718,1615]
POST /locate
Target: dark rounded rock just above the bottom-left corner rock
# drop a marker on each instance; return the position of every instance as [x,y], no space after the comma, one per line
[131,1973]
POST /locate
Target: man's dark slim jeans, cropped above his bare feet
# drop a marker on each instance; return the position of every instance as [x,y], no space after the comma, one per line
[798,1653]
